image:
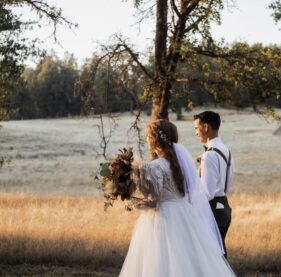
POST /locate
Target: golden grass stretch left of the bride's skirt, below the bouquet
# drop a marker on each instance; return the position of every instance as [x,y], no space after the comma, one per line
[54,229]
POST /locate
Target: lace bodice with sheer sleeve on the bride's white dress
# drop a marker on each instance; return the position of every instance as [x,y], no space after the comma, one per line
[157,182]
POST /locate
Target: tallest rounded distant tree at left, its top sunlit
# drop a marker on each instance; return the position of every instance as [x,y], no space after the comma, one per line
[53,88]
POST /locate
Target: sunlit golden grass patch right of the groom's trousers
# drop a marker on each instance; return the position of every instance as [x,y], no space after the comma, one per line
[254,238]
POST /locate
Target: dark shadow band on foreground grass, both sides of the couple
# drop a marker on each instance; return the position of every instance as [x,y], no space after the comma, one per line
[105,258]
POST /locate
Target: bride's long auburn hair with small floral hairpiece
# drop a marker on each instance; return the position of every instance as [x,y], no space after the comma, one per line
[162,134]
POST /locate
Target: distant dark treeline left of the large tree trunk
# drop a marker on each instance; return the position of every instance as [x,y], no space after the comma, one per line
[55,89]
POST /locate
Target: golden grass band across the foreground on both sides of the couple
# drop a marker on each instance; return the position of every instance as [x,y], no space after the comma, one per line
[76,230]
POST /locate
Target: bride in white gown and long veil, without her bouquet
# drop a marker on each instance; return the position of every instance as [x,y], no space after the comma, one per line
[176,234]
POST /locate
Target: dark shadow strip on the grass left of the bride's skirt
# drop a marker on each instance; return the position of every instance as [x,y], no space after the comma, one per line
[22,250]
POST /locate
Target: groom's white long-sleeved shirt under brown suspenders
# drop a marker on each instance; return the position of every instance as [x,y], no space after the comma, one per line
[213,170]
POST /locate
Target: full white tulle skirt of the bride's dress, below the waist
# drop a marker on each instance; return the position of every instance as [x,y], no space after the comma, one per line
[173,241]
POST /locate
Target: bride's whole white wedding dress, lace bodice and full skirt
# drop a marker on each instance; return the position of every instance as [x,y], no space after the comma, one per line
[174,239]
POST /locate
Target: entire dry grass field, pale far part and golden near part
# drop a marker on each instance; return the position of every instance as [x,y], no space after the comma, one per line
[52,221]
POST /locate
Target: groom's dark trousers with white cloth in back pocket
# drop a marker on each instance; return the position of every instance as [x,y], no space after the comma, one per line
[222,216]
